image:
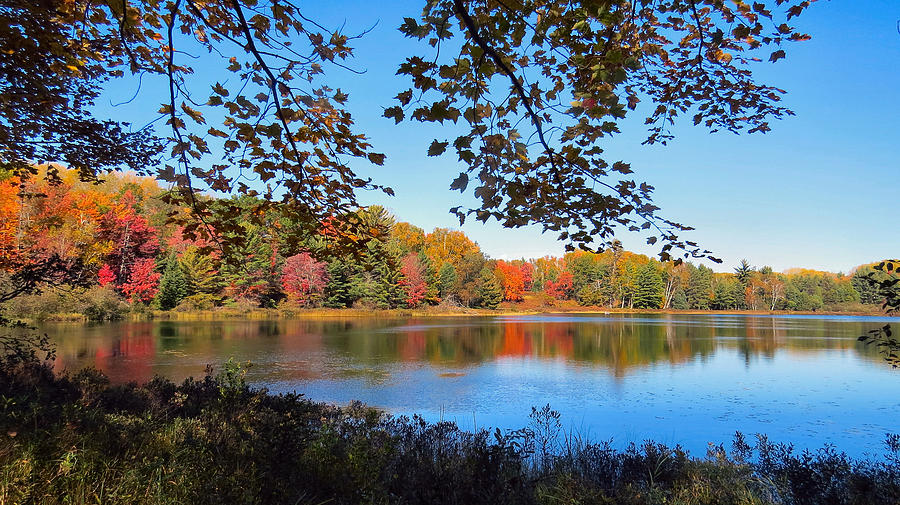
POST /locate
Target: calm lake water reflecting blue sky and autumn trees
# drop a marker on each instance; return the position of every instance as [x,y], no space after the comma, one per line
[686,379]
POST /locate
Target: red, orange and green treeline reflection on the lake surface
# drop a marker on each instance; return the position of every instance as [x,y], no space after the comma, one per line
[308,349]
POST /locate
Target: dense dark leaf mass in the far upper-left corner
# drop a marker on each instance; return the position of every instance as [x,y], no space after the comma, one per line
[52,65]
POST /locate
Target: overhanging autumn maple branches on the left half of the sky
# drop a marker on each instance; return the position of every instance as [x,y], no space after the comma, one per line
[282,128]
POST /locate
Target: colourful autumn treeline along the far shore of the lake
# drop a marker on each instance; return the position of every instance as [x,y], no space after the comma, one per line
[118,234]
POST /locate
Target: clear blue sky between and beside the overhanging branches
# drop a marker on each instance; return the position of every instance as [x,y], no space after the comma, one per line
[819,191]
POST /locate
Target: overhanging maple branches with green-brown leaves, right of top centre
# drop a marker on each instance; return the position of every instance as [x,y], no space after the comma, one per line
[541,84]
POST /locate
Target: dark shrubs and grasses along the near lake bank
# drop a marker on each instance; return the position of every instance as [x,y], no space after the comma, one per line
[77,439]
